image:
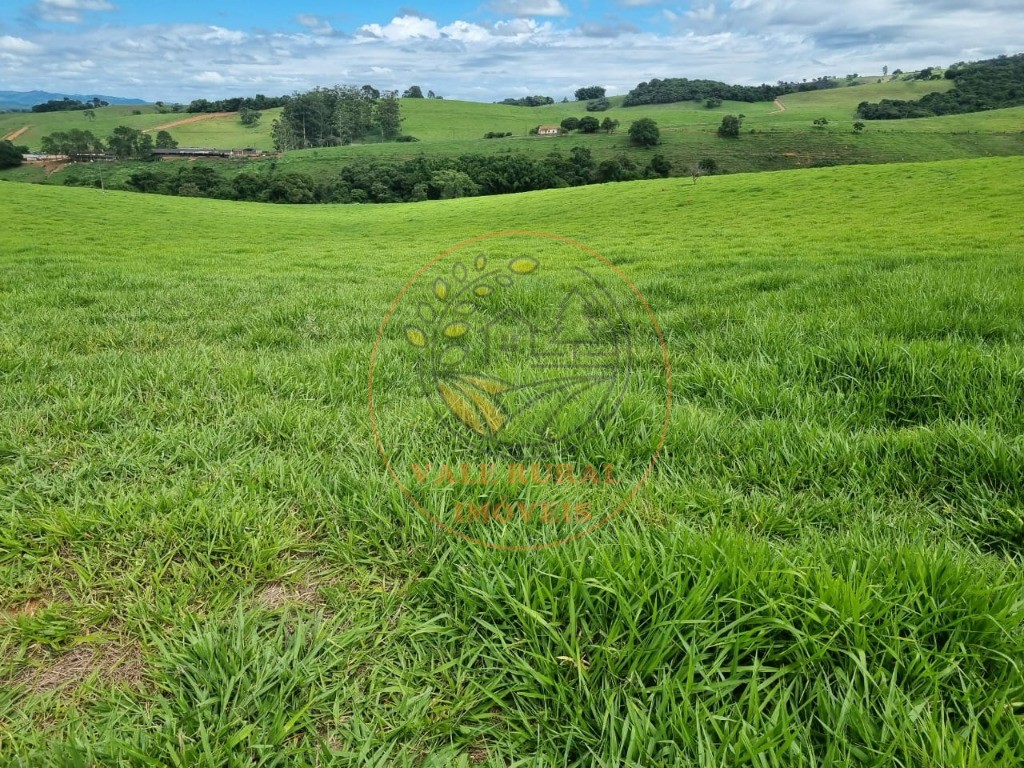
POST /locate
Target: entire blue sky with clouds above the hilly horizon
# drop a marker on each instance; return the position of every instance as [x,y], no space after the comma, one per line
[478,50]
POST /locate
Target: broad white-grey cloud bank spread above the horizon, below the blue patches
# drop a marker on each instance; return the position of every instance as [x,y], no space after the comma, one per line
[744,42]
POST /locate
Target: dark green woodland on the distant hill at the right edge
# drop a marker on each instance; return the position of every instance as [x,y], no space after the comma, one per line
[991,84]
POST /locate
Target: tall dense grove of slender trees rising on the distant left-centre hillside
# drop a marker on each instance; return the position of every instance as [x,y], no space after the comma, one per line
[337,117]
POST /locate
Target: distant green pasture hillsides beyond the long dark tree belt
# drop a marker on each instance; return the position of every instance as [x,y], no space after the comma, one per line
[772,139]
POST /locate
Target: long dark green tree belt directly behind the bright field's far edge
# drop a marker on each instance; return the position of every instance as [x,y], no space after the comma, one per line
[385,181]
